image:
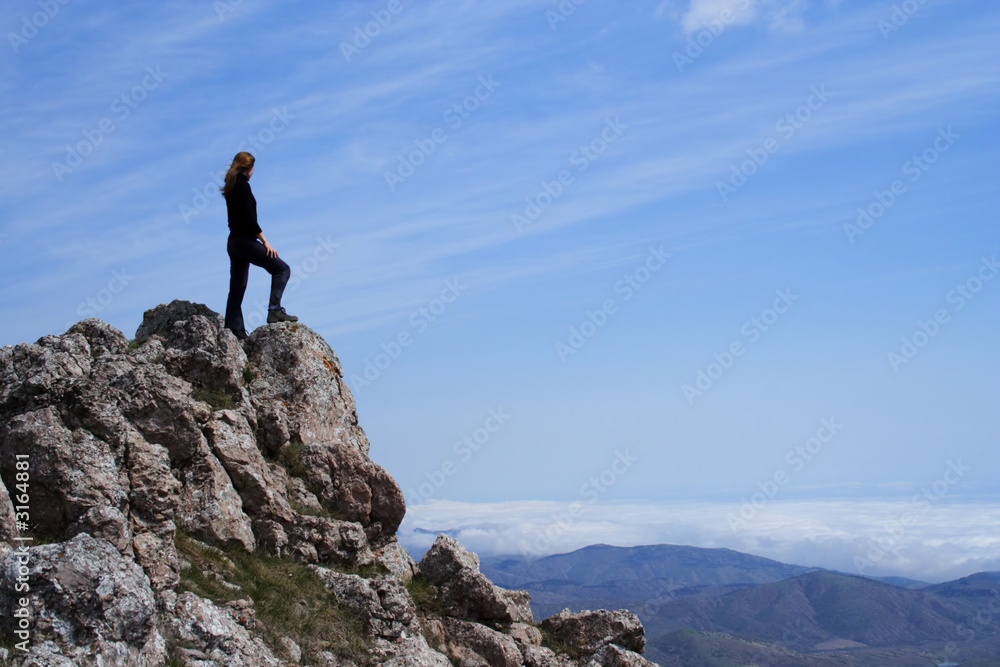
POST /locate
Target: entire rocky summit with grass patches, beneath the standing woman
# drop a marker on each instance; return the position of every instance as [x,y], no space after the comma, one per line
[183,498]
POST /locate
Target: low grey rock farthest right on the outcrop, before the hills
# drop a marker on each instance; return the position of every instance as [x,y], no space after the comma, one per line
[589,631]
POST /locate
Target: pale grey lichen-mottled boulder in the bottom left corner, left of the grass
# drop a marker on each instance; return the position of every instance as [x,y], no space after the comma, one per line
[87,599]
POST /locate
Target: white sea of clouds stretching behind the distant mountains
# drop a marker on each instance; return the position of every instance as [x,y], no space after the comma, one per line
[924,541]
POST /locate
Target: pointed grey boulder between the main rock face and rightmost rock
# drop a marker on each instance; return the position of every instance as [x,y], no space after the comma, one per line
[465,591]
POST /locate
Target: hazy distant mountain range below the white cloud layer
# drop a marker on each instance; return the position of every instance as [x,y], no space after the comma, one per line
[721,607]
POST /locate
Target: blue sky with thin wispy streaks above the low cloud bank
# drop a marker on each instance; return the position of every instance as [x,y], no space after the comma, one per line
[746,245]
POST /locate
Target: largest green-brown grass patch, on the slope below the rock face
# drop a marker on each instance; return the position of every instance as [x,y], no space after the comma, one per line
[289,599]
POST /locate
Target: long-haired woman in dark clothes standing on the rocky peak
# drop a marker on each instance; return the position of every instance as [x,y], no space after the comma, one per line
[247,246]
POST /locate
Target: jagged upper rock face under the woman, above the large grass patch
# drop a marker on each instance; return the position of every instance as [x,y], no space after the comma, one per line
[127,444]
